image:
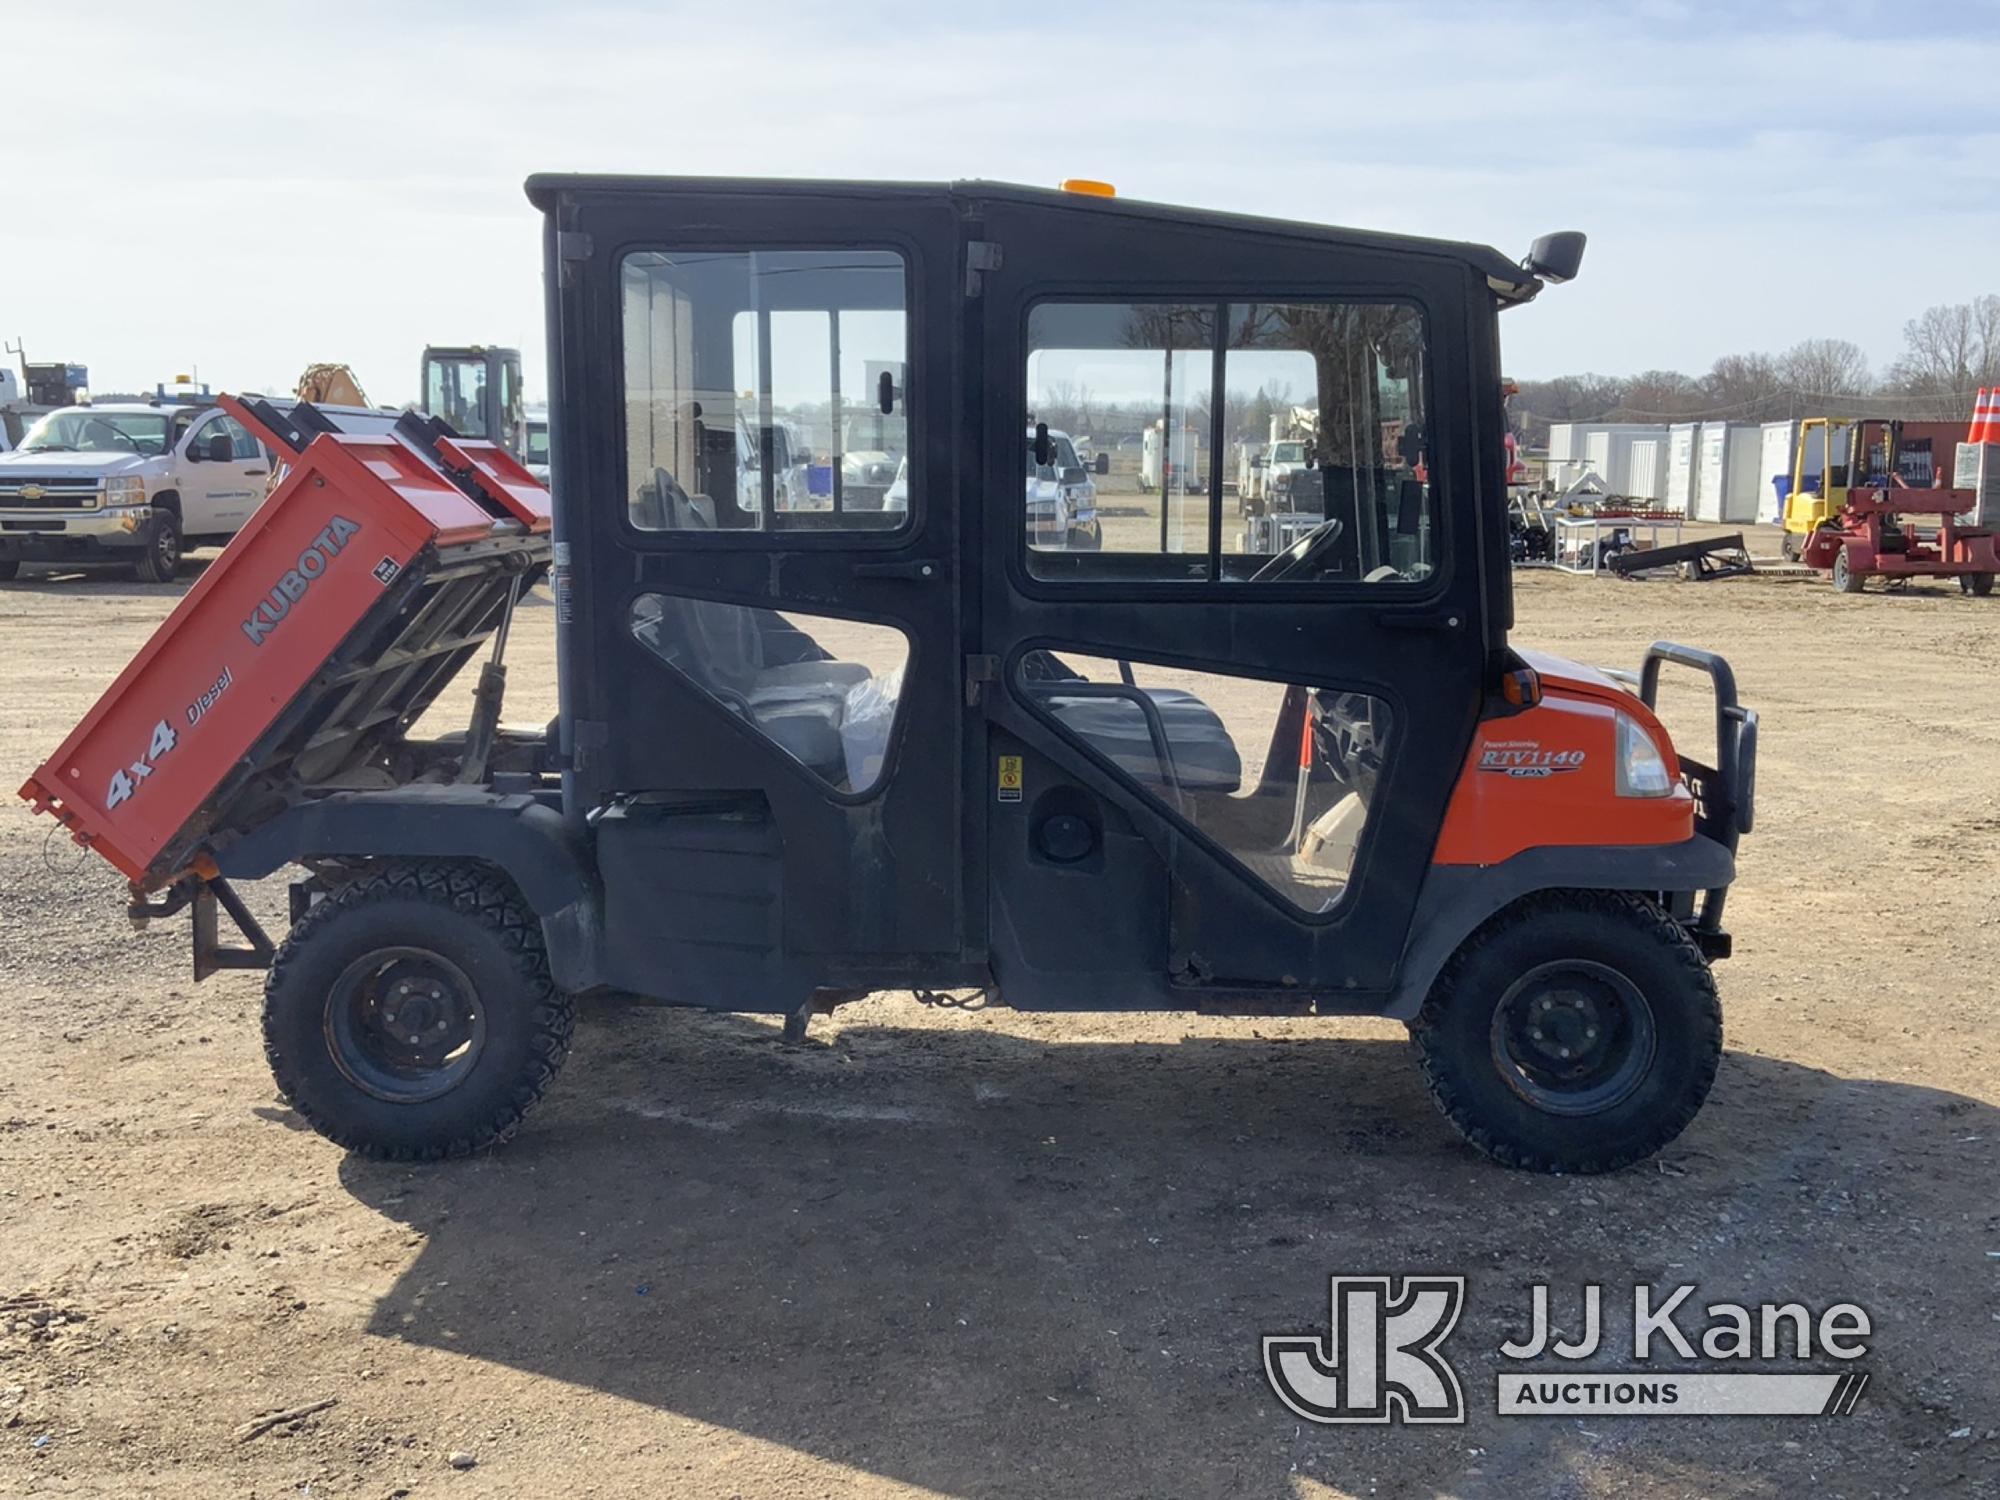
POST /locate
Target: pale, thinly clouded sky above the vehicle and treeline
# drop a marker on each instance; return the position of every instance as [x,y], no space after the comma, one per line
[249,189]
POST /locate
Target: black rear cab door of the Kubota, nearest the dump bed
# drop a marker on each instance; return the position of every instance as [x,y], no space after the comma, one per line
[757,561]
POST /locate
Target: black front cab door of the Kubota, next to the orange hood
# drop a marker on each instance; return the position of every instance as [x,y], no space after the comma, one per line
[1221,743]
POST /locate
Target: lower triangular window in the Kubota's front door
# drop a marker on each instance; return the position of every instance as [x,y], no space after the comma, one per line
[1279,775]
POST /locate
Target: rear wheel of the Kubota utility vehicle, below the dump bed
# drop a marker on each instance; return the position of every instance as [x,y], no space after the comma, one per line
[411,1015]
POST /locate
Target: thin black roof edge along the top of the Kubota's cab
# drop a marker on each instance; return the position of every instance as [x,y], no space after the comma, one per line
[1507,279]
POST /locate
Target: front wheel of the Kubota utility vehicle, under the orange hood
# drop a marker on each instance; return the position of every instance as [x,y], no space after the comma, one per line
[1573,1033]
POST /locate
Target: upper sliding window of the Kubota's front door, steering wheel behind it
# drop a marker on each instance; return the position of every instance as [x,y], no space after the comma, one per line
[1309,467]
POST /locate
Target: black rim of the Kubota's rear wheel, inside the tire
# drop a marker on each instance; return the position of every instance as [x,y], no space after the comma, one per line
[405,1025]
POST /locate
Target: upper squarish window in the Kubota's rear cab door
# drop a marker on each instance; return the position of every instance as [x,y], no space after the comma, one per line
[765,391]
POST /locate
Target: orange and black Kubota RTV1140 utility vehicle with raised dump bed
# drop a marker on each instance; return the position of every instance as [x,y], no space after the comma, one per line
[813,749]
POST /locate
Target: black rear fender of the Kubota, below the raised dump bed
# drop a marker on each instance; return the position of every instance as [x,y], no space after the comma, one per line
[517,835]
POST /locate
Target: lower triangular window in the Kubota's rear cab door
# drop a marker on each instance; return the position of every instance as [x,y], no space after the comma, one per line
[823,691]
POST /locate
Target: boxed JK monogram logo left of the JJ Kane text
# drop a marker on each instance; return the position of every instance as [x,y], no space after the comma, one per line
[1381,1361]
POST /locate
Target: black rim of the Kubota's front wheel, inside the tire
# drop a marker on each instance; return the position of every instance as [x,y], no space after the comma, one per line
[1573,1037]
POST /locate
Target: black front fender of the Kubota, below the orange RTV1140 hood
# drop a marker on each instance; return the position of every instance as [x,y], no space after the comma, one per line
[1457,899]
